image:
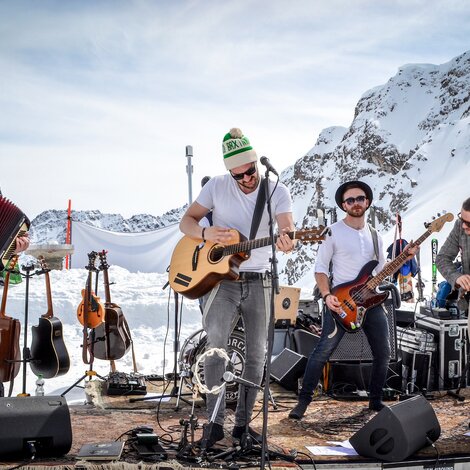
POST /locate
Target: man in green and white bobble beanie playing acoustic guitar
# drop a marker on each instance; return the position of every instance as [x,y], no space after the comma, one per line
[232,199]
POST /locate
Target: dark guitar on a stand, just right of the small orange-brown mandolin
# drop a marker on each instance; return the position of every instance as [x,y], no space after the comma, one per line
[112,337]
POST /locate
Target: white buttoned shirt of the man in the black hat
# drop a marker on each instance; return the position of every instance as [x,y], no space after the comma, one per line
[349,250]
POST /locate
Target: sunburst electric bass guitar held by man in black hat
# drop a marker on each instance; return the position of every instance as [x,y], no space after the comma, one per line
[360,295]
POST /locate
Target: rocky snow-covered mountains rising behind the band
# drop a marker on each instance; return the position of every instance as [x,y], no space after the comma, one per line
[409,139]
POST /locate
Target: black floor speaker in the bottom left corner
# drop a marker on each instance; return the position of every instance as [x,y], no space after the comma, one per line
[34,425]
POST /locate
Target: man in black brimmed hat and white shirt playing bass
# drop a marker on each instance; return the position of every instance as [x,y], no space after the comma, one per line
[350,246]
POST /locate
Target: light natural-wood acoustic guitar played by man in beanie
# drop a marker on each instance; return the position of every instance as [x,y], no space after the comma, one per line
[197,266]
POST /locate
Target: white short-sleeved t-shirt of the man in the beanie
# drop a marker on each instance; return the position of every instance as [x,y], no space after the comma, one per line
[231,208]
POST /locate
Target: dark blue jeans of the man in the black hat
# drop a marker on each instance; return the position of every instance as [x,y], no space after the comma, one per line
[377,333]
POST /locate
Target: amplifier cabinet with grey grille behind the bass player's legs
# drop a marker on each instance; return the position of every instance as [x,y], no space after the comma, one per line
[355,347]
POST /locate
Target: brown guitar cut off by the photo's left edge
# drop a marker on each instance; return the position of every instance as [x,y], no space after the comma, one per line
[10,329]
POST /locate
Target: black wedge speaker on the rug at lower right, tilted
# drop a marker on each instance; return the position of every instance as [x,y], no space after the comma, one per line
[398,431]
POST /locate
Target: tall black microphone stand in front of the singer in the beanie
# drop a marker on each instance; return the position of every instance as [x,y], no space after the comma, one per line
[274,290]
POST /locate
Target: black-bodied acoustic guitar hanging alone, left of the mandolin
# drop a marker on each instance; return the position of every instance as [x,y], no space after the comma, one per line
[48,351]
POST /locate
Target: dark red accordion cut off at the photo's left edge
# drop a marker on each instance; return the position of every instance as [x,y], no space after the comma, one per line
[13,224]
